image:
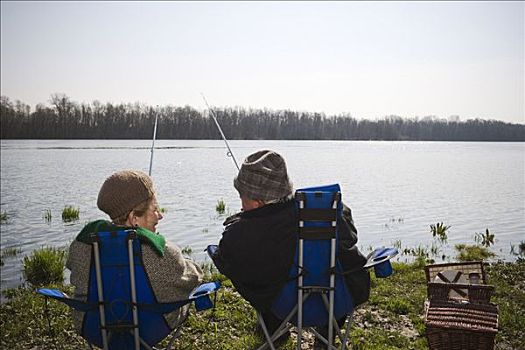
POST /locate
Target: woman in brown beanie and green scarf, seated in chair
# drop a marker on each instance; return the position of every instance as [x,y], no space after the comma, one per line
[128,197]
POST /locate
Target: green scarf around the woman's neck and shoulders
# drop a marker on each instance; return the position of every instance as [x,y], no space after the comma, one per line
[156,241]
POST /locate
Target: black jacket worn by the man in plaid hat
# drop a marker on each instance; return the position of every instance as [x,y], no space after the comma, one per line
[258,247]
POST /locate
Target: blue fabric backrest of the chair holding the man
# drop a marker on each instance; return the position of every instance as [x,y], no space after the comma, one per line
[316,268]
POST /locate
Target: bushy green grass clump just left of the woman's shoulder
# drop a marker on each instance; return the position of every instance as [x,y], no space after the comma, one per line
[44,266]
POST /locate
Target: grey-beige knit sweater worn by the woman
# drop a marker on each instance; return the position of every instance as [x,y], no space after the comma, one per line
[172,276]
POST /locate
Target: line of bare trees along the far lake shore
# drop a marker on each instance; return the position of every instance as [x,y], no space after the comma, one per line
[66,119]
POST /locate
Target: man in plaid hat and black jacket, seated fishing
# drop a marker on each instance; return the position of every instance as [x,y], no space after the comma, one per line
[258,244]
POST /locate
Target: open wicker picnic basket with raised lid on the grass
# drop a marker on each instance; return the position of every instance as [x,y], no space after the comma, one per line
[459,316]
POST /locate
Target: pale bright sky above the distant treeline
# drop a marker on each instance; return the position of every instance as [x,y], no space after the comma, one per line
[366,59]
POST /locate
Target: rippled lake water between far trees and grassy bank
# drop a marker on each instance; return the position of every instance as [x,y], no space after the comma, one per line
[395,189]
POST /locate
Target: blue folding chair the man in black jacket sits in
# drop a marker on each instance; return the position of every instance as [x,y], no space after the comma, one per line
[317,295]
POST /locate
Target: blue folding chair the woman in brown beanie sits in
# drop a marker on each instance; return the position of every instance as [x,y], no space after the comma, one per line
[121,311]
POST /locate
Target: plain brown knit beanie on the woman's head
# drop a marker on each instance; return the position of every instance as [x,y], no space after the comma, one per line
[123,191]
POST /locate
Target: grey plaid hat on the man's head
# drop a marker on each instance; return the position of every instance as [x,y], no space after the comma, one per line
[263,176]
